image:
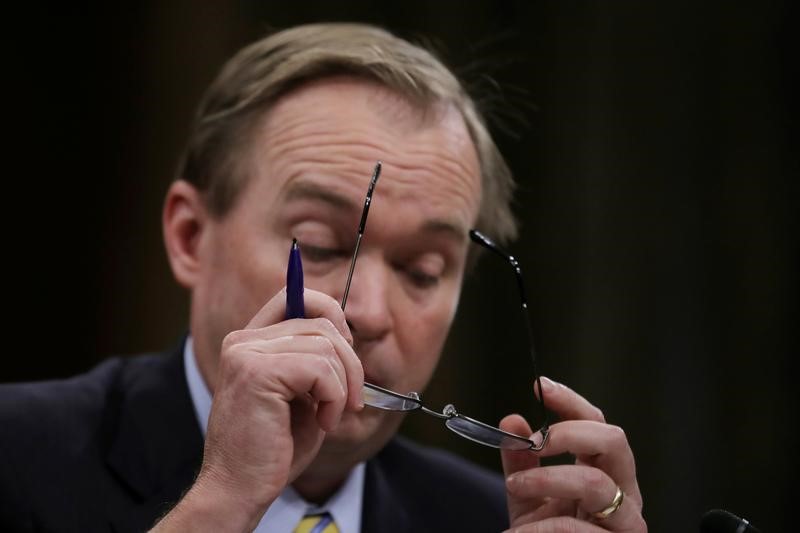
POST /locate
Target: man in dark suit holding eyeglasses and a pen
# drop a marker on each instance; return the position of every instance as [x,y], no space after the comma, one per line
[283,146]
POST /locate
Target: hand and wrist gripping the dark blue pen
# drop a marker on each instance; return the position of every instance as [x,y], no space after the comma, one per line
[281,386]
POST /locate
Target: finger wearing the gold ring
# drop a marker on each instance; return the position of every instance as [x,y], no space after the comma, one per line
[592,489]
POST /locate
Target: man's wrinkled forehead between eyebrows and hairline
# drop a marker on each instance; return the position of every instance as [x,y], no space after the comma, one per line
[330,133]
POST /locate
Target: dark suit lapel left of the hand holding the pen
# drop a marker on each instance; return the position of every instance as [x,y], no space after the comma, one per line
[156,448]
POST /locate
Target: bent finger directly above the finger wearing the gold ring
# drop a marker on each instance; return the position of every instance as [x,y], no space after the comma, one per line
[601,445]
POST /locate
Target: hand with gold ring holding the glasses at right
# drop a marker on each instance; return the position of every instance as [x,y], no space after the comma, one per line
[563,497]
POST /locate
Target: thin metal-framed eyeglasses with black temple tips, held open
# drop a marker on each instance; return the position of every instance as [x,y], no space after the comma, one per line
[469,428]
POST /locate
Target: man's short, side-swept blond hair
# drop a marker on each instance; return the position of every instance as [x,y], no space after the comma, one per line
[259,74]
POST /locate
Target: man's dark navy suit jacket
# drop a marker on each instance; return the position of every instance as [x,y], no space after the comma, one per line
[114,449]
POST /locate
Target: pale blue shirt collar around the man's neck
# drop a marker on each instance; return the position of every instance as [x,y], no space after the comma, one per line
[285,512]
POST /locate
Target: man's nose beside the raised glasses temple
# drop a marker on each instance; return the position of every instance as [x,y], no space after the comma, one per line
[369,310]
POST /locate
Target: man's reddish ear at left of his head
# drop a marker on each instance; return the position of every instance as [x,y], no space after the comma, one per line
[184,220]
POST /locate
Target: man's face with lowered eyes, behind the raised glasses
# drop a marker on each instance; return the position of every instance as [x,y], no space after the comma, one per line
[310,165]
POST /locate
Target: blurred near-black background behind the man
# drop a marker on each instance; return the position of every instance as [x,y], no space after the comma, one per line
[656,148]
